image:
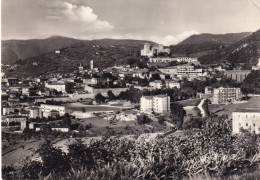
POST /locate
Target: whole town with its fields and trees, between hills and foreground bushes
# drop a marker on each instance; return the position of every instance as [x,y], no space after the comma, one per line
[164,96]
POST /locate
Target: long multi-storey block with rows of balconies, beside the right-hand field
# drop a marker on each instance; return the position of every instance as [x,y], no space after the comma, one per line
[224,95]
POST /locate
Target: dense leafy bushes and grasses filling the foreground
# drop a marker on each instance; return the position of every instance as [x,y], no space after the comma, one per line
[206,152]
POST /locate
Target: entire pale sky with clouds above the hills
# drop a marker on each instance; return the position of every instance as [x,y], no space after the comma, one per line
[162,21]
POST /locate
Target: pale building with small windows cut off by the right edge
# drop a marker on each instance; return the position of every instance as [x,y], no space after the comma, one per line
[248,119]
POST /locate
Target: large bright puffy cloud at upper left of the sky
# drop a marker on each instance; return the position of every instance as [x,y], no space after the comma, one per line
[81,15]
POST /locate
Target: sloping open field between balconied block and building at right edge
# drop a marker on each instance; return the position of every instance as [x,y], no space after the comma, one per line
[221,109]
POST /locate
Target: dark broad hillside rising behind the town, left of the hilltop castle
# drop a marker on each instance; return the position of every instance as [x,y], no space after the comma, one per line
[104,52]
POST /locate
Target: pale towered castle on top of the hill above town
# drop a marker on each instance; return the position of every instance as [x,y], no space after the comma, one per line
[148,51]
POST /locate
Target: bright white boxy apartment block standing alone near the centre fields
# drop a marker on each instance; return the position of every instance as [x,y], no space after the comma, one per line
[158,104]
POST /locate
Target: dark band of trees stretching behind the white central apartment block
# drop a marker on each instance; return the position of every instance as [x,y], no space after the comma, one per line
[188,90]
